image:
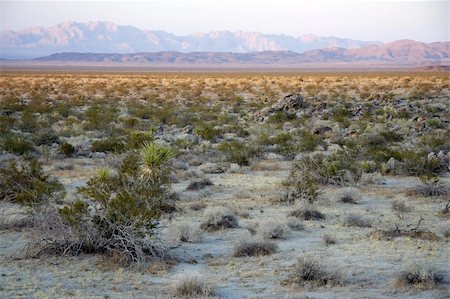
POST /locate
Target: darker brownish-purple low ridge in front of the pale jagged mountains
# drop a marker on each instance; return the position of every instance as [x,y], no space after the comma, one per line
[403,52]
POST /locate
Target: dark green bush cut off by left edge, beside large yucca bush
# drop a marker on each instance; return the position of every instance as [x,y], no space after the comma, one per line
[24,182]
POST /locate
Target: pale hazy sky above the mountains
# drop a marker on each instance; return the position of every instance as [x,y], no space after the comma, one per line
[366,20]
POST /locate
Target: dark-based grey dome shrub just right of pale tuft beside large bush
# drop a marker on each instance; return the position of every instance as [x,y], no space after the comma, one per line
[218,218]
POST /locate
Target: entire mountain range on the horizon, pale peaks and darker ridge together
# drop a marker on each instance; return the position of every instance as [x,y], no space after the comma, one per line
[106,42]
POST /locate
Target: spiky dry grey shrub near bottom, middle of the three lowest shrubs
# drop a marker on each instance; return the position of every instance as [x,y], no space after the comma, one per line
[309,272]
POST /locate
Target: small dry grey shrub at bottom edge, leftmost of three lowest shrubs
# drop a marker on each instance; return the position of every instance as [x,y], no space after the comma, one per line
[190,285]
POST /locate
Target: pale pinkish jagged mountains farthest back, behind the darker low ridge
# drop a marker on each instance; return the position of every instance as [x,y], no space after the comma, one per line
[107,37]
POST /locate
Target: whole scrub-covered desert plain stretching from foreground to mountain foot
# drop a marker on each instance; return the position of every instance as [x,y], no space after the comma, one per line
[268,184]
